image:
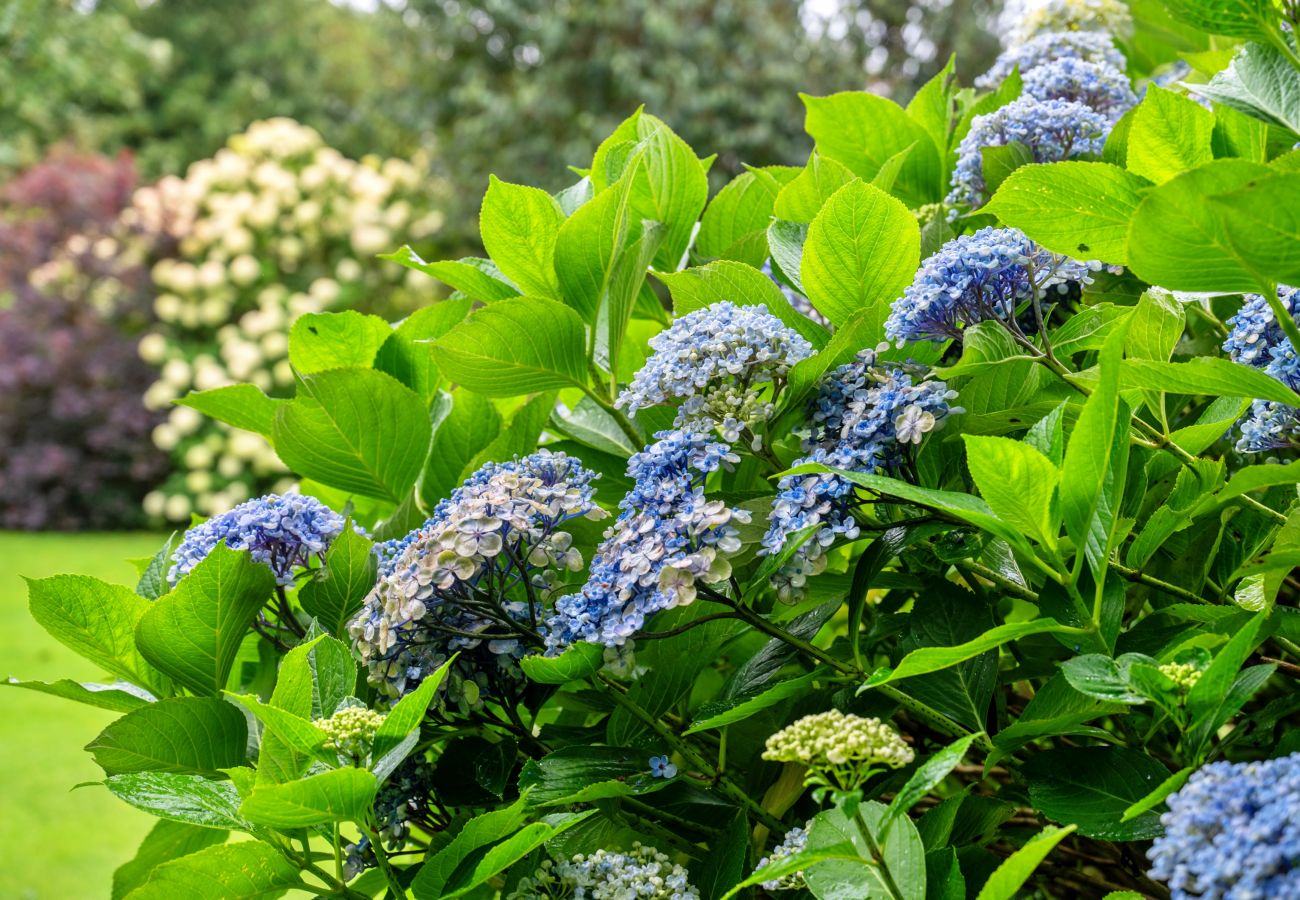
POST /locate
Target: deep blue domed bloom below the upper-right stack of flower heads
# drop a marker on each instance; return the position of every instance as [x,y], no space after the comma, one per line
[977,278]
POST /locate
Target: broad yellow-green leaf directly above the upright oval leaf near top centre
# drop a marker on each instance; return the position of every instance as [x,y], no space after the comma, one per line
[864,131]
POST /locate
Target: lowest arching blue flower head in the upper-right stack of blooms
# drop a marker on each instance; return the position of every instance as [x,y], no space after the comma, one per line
[1054,131]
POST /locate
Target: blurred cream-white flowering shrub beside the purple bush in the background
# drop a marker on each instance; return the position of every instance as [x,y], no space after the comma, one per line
[275,226]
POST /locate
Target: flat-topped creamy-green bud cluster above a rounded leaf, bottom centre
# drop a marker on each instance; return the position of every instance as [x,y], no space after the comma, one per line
[839,750]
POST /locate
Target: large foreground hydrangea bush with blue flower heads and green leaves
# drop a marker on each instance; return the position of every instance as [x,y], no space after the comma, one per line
[618,574]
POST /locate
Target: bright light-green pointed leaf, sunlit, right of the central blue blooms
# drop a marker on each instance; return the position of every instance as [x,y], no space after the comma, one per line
[1019,483]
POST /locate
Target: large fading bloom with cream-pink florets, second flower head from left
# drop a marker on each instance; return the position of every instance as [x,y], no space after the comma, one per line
[473,578]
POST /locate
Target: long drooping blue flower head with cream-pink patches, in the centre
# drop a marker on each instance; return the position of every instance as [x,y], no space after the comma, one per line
[669,540]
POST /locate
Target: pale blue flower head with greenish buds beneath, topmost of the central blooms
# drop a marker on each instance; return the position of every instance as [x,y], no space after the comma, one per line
[713,362]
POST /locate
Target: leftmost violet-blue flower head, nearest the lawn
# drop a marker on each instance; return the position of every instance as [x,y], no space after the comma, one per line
[284,533]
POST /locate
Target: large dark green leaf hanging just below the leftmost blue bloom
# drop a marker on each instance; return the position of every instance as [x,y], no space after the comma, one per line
[193,634]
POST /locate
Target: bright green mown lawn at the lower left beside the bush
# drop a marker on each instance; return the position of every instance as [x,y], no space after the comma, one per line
[59,843]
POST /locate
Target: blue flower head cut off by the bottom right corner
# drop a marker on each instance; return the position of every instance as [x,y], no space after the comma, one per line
[1233,833]
